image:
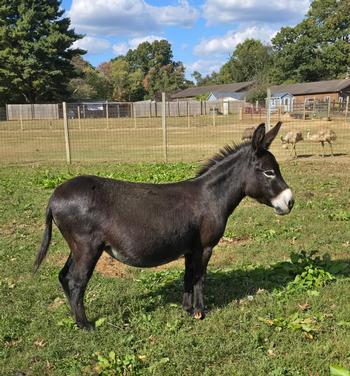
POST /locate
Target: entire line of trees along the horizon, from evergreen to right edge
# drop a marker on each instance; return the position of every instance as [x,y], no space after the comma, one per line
[39,64]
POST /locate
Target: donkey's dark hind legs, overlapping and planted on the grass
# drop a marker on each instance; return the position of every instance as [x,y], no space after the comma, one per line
[74,278]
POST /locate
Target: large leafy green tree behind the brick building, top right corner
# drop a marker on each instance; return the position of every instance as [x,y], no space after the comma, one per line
[318,48]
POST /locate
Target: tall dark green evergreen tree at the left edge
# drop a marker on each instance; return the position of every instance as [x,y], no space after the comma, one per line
[35,51]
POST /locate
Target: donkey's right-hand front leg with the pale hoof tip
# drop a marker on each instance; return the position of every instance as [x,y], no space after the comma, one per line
[200,262]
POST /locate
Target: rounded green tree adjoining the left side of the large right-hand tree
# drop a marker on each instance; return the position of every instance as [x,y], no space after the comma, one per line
[249,60]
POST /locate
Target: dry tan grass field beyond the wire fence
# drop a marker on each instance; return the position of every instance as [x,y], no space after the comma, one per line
[123,140]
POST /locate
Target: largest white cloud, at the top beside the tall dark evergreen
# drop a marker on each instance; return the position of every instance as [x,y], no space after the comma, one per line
[128,17]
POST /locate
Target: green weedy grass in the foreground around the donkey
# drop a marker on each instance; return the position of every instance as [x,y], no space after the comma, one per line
[275,308]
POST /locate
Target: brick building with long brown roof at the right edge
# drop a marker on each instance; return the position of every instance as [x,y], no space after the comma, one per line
[333,90]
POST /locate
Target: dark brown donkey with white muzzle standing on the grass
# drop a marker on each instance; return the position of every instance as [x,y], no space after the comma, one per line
[146,225]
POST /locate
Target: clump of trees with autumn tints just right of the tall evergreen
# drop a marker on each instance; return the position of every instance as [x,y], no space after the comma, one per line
[142,73]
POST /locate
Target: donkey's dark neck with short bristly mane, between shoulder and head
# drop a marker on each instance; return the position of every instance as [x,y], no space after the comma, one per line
[225,181]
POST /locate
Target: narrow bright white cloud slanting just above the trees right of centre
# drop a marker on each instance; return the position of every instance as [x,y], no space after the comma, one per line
[227,43]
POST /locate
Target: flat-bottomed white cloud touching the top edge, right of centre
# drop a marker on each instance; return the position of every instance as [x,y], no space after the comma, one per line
[277,11]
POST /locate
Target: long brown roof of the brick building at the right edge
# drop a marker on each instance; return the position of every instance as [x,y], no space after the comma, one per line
[330,86]
